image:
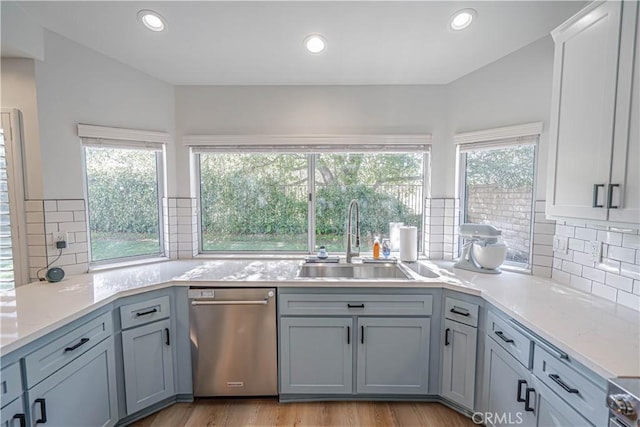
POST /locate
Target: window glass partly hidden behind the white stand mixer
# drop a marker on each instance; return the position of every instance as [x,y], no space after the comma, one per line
[498,183]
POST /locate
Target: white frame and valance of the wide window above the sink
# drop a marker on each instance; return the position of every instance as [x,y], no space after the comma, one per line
[368,144]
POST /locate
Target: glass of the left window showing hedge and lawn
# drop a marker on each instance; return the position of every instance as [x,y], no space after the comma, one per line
[123,198]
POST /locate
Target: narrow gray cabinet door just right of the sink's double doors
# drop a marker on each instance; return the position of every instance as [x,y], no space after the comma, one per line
[459,363]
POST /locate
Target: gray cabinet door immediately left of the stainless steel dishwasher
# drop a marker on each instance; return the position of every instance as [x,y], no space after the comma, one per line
[148,365]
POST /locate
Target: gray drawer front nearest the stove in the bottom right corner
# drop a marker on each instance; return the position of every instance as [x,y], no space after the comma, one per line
[571,386]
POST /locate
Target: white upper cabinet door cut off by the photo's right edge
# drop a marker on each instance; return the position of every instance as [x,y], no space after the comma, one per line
[625,171]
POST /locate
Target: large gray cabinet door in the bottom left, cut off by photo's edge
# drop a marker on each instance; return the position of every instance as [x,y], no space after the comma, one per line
[82,393]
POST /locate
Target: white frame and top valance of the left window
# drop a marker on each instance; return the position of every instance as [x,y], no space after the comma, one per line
[141,140]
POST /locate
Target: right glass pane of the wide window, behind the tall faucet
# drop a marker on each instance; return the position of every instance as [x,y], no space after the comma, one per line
[388,187]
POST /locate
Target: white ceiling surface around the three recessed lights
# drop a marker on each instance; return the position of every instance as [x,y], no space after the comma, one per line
[250,43]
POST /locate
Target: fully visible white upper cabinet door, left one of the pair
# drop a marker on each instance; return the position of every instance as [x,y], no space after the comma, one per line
[583,111]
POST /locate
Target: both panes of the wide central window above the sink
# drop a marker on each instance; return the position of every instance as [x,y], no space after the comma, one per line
[257,199]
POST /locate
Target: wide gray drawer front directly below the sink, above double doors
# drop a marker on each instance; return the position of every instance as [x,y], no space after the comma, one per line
[354,304]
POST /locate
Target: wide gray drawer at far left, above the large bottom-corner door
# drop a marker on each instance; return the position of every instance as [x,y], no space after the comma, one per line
[53,356]
